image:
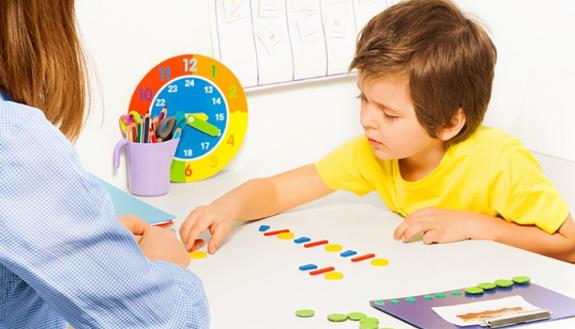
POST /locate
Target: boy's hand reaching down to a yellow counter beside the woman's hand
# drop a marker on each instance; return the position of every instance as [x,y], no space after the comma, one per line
[212,217]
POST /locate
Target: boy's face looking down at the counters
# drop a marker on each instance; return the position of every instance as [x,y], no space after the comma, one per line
[389,121]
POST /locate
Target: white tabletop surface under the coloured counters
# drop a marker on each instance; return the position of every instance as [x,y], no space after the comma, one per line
[254,281]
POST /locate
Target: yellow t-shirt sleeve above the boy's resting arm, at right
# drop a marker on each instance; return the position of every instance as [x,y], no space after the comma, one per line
[522,193]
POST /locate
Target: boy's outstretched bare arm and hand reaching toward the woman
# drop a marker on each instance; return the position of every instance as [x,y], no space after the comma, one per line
[257,198]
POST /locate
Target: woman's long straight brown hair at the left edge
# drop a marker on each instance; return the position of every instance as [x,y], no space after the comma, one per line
[41,61]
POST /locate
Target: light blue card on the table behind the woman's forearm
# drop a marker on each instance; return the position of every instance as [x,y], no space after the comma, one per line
[126,204]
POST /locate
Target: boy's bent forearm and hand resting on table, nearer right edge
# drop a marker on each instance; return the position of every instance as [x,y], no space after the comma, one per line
[441,225]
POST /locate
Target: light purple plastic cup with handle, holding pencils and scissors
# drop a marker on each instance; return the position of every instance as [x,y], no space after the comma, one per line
[148,165]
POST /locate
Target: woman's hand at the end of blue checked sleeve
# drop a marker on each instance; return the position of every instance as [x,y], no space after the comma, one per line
[156,243]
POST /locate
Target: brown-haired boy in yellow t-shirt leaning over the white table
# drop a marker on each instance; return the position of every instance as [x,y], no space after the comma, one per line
[425,73]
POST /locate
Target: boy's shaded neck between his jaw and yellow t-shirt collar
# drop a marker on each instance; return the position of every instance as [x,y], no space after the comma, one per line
[422,164]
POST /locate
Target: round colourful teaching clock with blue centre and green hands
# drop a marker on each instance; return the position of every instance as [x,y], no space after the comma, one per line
[209,105]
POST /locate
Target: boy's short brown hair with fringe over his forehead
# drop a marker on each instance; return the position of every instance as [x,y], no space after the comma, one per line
[448,59]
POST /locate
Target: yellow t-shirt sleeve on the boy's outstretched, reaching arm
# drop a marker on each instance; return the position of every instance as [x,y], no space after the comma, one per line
[342,168]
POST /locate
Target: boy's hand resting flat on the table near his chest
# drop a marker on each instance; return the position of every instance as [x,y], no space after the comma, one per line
[437,225]
